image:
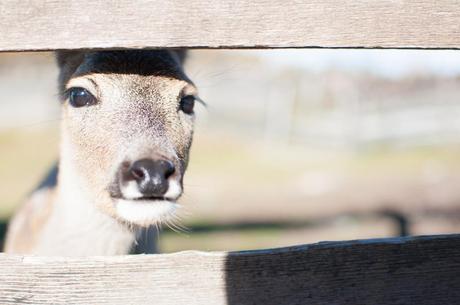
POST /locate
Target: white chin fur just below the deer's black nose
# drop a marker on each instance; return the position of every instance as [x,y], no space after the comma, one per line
[145,212]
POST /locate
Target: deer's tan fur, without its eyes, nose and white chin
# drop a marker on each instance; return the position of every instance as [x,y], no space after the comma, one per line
[136,117]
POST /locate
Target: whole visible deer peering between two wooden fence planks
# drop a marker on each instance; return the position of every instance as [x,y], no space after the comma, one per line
[127,120]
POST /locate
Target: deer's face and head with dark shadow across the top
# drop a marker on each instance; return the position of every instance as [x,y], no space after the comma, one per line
[126,130]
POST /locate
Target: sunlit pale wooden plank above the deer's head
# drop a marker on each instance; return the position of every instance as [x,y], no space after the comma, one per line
[48,24]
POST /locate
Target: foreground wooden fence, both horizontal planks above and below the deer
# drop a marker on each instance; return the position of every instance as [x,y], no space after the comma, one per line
[422,270]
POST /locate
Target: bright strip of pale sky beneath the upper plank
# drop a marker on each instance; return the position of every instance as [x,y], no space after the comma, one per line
[389,63]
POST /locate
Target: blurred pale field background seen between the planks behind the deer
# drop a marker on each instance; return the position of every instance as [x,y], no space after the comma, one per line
[295,146]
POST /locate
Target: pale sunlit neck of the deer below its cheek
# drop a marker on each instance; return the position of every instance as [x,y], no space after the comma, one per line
[76,226]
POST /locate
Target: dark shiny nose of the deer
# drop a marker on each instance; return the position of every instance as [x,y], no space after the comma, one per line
[151,176]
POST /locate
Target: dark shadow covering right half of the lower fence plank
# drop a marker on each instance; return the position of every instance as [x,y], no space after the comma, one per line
[422,271]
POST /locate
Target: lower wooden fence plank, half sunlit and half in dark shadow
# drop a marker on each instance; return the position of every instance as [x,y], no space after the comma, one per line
[422,270]
